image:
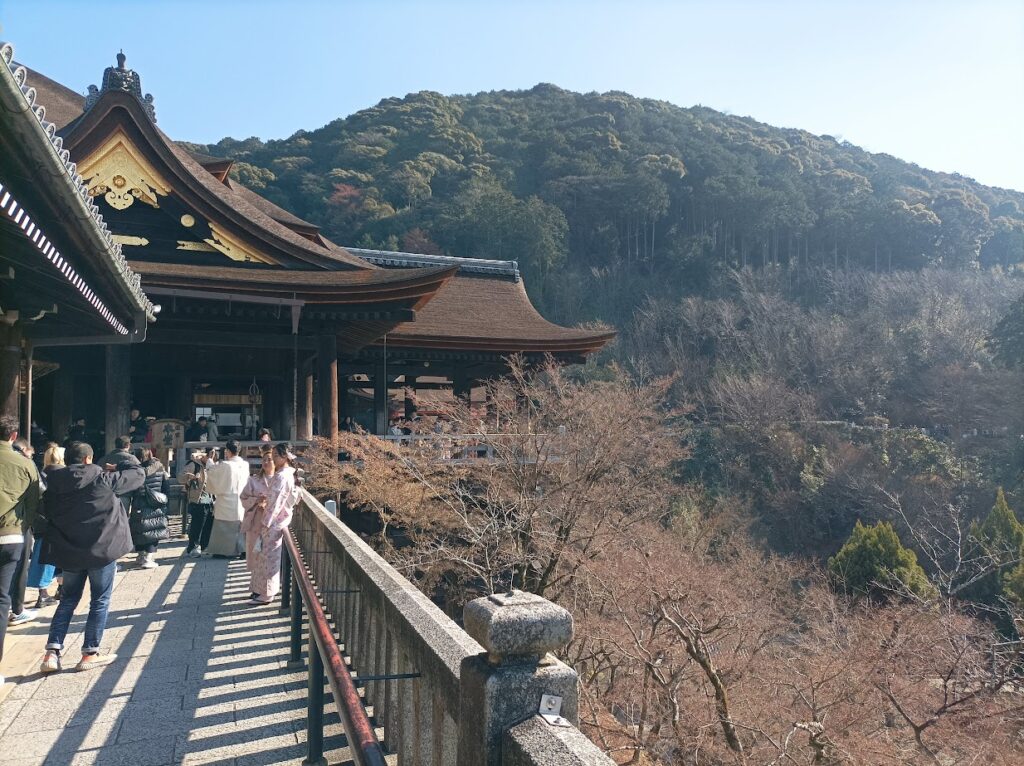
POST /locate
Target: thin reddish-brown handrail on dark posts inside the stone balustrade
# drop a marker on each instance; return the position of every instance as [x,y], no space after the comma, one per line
[325,656]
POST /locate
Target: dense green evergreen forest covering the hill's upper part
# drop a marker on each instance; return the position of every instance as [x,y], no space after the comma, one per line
[651,196]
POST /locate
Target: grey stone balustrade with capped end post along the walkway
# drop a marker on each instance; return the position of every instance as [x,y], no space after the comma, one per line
[441,697]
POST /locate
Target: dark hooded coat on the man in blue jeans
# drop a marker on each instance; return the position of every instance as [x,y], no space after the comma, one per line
[88,527]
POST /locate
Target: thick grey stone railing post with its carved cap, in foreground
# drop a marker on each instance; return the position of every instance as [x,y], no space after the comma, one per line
[503,687]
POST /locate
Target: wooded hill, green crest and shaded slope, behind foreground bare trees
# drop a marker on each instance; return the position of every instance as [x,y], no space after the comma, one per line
[872,287]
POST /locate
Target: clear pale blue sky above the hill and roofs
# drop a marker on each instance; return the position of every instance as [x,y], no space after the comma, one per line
[937,83]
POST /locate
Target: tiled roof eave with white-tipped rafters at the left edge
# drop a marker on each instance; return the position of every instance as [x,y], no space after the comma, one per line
[63,272]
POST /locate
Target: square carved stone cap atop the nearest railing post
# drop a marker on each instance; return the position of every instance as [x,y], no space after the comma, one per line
[518,625]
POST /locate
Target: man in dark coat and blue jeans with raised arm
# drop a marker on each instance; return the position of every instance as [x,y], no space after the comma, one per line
[88,532]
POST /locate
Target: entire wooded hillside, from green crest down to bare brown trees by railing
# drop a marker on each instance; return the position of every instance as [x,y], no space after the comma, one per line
[804,449]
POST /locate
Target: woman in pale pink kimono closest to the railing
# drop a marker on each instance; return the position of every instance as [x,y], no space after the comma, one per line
[273,524]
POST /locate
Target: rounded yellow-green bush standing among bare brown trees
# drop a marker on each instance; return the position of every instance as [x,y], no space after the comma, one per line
[875,563]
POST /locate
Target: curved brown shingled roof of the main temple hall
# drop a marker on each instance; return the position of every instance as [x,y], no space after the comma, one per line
[460,305]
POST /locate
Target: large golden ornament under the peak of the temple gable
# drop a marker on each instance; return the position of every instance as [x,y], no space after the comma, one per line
[120,174]
